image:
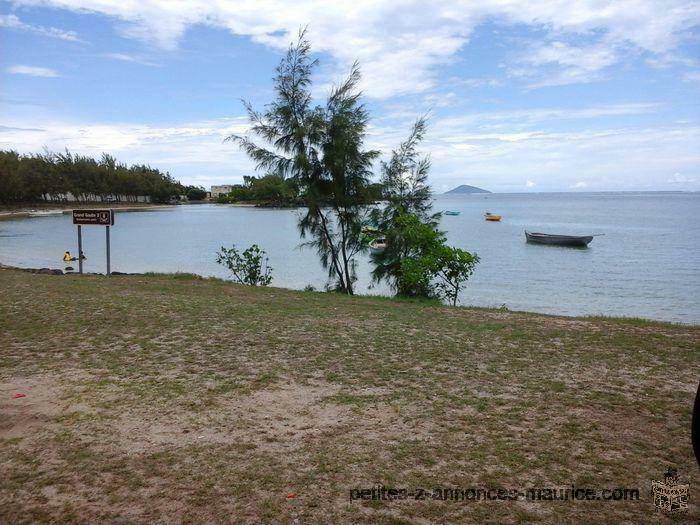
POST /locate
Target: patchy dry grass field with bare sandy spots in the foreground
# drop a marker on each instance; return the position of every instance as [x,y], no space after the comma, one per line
[175,399]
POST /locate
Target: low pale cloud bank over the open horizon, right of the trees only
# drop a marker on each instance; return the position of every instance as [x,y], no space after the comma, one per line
[610,158]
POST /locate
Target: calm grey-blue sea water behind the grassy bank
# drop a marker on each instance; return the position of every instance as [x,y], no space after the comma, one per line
[645,265]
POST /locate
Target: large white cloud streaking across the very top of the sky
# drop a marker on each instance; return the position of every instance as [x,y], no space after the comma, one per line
[400,44]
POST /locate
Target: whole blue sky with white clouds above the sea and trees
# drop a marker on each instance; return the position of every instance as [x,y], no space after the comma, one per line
[523,96]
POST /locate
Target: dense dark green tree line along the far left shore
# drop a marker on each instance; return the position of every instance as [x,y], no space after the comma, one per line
[56,176]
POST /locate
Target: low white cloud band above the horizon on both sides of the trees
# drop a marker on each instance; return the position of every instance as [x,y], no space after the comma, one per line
[604,159]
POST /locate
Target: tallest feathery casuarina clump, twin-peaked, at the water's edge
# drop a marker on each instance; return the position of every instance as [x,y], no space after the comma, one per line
[322,148]
